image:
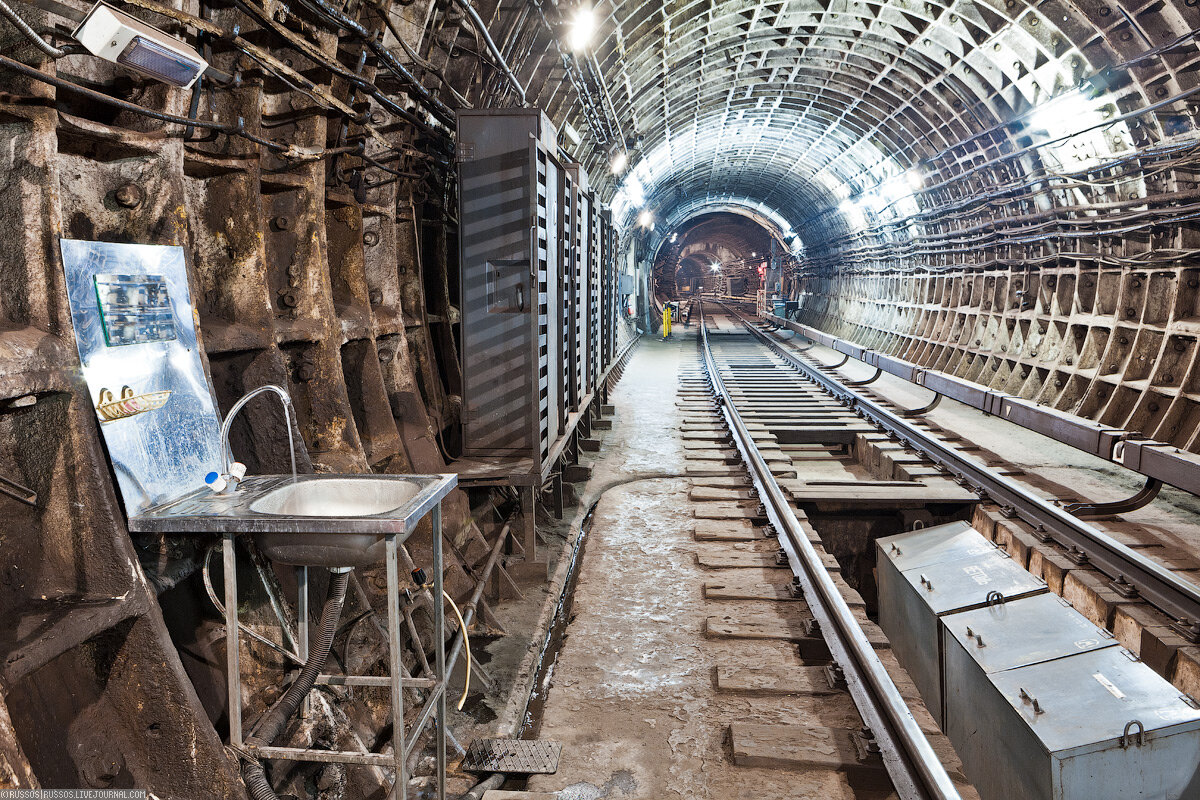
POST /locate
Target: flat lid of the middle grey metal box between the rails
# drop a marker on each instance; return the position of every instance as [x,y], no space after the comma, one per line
[1025,631]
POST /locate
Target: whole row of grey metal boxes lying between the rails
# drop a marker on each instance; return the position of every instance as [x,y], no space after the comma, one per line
[1037,701]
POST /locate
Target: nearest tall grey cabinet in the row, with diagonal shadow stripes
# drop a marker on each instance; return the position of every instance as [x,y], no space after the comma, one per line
[509,245]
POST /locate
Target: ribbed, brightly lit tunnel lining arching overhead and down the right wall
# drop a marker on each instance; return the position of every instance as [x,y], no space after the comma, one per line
[1004,191]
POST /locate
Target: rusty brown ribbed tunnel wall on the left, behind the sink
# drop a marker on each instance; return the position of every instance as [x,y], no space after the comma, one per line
[325,274]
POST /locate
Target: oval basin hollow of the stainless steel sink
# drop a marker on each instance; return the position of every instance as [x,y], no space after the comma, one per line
[337,497]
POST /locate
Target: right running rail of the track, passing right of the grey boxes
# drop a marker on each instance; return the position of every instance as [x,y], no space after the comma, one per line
[1156,584]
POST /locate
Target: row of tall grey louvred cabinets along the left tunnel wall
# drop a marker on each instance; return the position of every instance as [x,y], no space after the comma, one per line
[538,281]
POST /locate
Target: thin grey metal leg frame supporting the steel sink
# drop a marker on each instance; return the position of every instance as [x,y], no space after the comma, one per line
[435,706]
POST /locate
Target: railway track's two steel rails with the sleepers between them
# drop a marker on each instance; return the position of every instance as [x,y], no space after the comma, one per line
[787,413]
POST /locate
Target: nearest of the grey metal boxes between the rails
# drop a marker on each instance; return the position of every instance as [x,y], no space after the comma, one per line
[1069,730]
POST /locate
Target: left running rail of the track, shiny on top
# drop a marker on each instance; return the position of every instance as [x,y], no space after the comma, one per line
[910,760]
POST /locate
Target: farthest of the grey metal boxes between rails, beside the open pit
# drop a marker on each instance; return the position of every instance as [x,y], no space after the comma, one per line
[927,574]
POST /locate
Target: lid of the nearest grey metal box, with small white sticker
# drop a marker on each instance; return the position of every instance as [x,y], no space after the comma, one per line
[1084,702]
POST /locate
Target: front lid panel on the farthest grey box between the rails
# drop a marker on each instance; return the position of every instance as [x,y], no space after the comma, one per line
[970,581]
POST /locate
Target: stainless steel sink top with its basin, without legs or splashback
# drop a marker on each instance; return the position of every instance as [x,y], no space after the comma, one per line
[313,521]
